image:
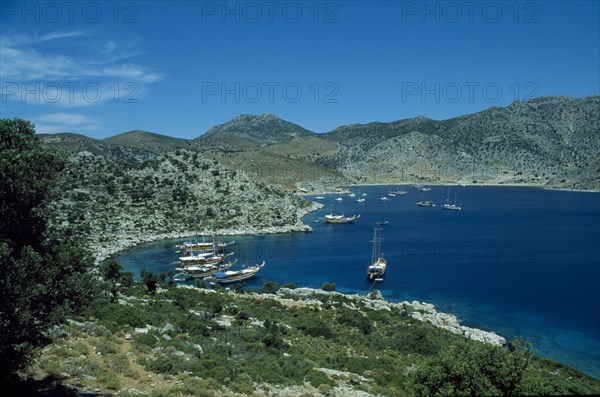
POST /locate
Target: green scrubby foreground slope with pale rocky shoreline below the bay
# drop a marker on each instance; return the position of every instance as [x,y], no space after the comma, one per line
[296,342]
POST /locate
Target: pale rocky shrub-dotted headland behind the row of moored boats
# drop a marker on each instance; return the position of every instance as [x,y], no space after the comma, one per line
[120,202]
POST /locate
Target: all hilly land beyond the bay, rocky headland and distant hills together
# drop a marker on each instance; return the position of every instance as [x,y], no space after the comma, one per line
[239,176]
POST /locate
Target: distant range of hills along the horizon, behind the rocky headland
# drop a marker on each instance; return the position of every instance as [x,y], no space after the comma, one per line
[548,141]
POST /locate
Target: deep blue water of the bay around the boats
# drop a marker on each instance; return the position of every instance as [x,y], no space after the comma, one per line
[516,261]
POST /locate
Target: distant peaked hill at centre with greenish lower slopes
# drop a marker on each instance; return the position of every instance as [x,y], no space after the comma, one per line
[271,150]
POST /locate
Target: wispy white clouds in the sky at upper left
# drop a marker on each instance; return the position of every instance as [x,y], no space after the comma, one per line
[73,57]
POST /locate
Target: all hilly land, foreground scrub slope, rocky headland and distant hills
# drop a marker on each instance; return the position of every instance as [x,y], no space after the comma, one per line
[153,337]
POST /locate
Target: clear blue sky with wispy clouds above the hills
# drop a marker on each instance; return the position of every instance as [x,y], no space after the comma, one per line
[178,68]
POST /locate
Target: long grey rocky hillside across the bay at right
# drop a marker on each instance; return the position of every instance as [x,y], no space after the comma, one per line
[550,141]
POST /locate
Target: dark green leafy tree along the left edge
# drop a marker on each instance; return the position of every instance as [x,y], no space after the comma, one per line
[44,274]
